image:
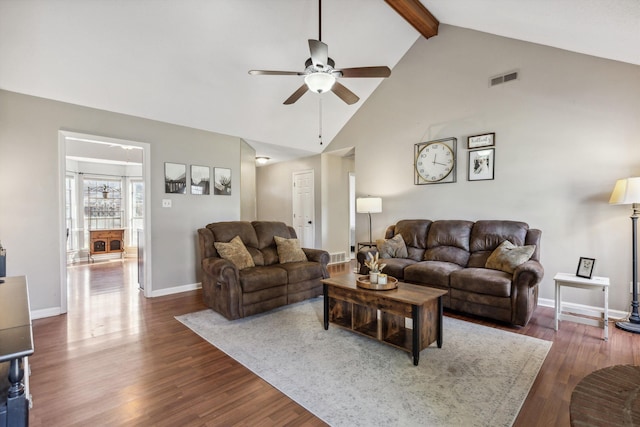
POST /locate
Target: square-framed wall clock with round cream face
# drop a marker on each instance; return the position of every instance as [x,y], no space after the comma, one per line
[435,161]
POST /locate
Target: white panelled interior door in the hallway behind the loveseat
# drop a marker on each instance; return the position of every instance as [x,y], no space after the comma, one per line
[303,208]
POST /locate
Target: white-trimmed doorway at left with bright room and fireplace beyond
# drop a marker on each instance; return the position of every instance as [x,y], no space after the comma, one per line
[120,169]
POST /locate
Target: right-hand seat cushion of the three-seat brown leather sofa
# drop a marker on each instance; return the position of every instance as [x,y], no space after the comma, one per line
[482,281]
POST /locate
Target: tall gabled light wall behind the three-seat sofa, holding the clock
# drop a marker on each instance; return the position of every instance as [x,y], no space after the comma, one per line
[564,133]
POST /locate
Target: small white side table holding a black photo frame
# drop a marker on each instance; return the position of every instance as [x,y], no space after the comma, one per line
[573,281]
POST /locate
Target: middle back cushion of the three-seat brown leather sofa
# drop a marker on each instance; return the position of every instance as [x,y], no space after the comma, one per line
[448,241]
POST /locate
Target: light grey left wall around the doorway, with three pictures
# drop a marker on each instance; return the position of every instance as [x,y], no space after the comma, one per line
[29,194]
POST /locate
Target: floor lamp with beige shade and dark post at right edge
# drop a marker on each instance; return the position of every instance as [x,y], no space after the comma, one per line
[627,192]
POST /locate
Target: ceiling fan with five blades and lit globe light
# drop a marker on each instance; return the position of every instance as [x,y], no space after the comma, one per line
[320,74]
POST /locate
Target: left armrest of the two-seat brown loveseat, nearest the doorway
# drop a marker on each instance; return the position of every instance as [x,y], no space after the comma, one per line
[221,287]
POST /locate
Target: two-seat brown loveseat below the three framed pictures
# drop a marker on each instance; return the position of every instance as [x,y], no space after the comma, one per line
[269,284]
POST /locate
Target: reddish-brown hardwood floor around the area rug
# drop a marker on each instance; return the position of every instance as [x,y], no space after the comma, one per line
[118,358]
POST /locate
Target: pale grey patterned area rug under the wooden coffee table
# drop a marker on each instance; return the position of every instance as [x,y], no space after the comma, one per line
[480,376]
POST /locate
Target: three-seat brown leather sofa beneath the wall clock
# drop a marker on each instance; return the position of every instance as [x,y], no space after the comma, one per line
[452,254]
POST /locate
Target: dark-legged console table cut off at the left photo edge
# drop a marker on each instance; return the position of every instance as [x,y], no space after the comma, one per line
[16,343]
